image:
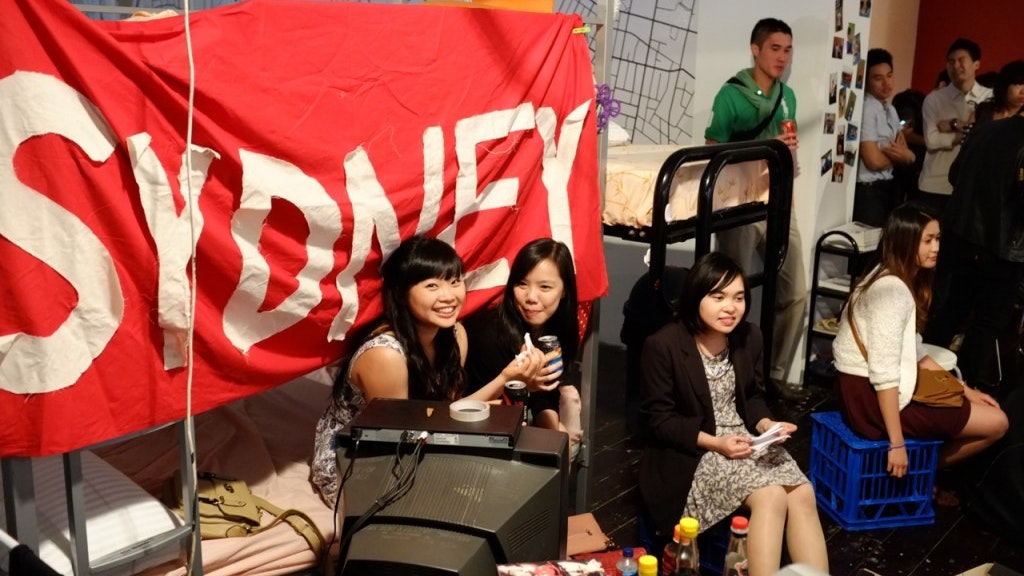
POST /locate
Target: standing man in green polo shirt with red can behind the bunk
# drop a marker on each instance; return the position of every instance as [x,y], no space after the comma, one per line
[753,105]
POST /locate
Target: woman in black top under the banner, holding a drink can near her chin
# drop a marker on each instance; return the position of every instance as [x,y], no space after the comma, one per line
[540,300]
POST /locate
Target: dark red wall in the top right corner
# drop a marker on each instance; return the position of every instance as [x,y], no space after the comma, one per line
[998,26]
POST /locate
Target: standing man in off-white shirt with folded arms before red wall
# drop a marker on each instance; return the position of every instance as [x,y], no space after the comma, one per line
[947,113]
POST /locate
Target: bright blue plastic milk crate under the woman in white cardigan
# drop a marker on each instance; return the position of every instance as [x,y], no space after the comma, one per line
[851,483]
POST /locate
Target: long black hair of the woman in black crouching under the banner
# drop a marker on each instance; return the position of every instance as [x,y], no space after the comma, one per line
[564,323]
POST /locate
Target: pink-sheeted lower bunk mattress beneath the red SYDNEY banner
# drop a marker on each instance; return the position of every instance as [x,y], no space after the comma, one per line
[266,440]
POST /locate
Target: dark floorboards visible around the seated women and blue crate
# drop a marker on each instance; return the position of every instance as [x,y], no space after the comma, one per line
[952,546]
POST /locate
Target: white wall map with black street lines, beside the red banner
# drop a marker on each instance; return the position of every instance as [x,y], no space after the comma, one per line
[653,70]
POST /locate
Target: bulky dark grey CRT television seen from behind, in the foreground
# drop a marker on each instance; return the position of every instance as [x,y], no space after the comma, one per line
[466,511]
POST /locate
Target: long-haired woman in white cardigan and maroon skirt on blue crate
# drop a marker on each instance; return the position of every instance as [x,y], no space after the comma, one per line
[889,308]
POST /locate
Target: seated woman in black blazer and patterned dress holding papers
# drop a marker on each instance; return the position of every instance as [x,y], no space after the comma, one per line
[704,400]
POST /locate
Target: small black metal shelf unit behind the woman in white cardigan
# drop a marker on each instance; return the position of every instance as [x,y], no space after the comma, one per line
[831,284]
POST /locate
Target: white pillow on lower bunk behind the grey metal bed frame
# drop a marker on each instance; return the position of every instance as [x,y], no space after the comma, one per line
[119,514]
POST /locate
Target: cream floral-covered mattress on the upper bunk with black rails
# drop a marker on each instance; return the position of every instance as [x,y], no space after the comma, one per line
[632,176]
